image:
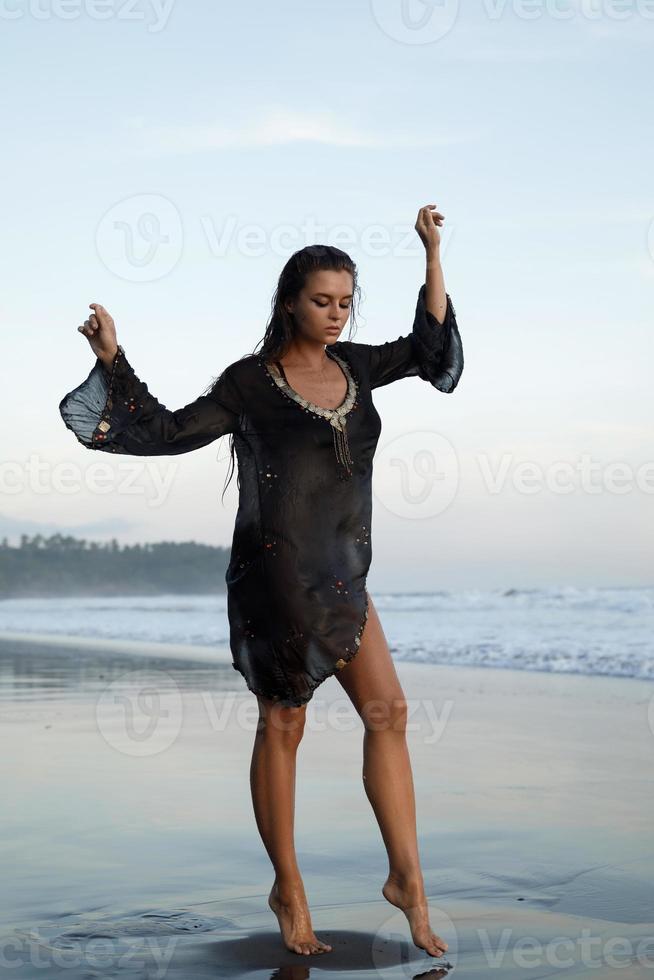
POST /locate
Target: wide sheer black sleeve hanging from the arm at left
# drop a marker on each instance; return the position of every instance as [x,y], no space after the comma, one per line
[113,411]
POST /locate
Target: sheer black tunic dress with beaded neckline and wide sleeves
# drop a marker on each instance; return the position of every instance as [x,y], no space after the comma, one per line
[301,549]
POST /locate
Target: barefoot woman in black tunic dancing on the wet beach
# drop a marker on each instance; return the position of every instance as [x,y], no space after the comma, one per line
[301,419]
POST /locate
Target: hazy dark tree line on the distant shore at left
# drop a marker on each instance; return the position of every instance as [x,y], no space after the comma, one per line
[65,565]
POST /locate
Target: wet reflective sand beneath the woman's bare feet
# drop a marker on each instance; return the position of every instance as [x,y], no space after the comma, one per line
[129,846]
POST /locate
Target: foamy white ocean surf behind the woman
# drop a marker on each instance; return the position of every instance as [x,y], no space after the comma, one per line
[606,631]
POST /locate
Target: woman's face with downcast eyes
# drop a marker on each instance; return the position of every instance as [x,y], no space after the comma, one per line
[322,307]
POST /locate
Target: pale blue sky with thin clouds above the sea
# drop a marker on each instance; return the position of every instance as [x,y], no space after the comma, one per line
[166,159]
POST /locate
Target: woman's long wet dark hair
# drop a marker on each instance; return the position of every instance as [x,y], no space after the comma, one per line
[281,326]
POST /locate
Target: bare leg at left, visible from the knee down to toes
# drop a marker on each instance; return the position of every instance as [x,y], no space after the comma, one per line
[272,781]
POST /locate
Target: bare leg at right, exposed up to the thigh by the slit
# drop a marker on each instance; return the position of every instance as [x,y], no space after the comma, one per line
[371,682]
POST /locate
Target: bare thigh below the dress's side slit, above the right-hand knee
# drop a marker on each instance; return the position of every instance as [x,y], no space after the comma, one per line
[371,674]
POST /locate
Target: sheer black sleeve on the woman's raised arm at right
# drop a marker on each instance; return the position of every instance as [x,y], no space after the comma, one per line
[432,351]
